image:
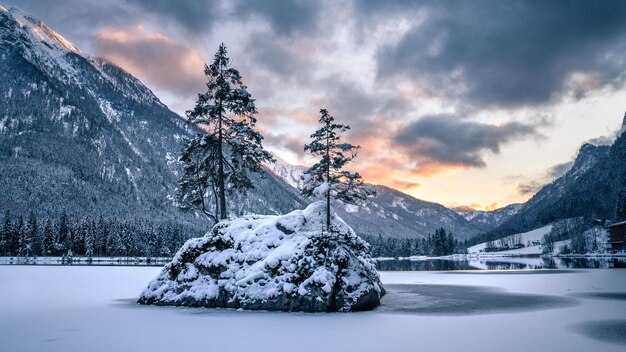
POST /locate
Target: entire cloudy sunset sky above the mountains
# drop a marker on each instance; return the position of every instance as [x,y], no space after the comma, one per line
[474,103]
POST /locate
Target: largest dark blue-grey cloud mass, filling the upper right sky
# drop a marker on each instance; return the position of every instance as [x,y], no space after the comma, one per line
[508,53]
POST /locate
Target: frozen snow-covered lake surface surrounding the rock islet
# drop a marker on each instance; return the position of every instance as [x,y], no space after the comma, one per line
[57,308]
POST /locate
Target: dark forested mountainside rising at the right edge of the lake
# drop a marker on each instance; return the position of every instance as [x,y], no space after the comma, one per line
[589,189]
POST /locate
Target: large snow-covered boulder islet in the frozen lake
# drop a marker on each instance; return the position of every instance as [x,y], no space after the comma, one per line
[283,262]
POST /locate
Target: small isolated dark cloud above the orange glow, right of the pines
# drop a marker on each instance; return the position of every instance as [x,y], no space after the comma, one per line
[441,140]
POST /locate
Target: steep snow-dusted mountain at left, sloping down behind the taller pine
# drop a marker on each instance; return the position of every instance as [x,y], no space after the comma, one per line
[80,134]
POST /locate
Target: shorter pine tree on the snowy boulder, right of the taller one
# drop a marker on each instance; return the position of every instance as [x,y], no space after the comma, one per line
[326,177]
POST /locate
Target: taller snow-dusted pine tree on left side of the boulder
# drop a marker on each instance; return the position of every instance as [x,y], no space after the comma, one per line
[220,160]
